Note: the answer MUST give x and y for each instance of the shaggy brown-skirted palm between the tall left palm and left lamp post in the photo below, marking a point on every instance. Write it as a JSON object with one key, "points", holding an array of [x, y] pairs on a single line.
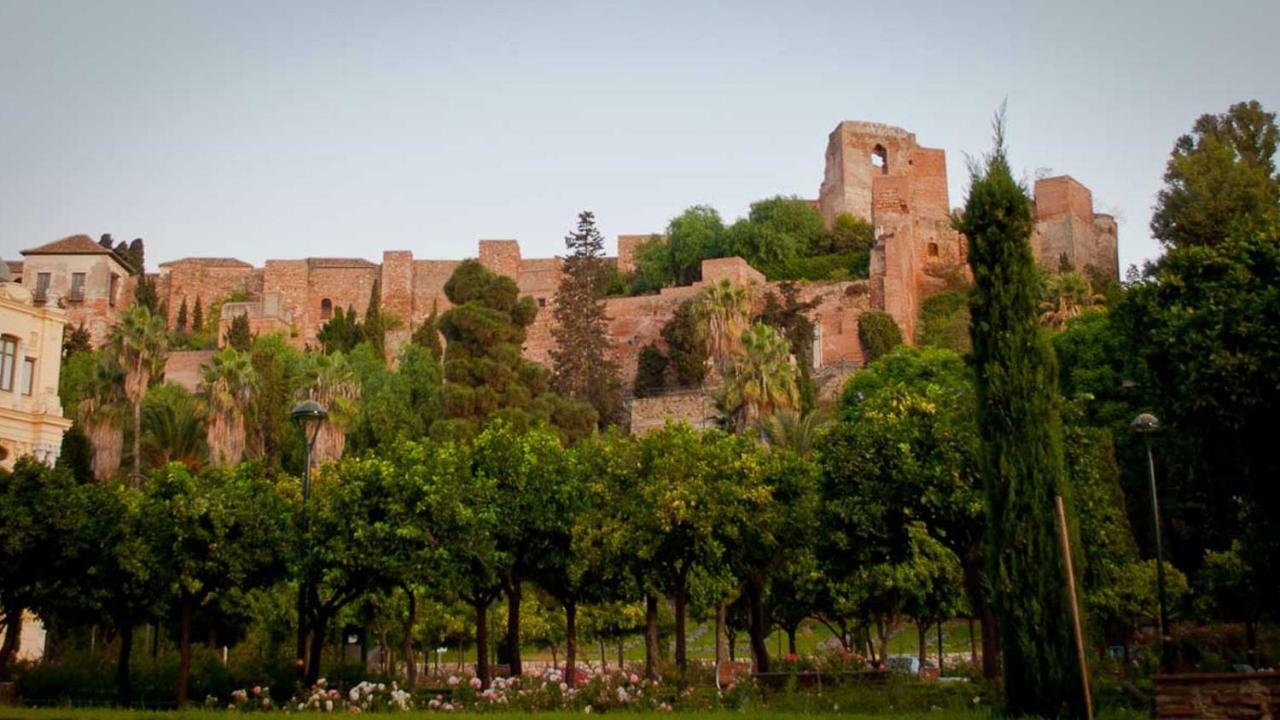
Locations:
{"points": [[230, 384]]}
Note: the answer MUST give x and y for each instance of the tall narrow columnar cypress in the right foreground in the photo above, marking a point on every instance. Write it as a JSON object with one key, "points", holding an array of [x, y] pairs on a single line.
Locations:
{"points": [[1020, 420]]}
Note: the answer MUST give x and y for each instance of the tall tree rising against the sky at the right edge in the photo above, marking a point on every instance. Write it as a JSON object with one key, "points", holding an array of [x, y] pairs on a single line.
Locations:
{"points": [[1222, 172]]}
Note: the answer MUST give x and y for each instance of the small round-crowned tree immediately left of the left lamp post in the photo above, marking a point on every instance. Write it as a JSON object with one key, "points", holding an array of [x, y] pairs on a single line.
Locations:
{"points": [[218, 534]]}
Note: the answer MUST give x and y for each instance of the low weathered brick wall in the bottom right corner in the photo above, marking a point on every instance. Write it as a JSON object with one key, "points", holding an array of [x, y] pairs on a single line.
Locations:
{"points": [[1227, 695]]}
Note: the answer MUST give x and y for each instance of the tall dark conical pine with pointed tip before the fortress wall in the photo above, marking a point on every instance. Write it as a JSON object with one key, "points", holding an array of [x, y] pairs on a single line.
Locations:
{"points": [[582, 368]]}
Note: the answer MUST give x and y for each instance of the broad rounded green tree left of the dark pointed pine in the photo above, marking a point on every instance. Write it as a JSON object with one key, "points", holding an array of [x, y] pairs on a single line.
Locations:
{"points": [[486, 373]]}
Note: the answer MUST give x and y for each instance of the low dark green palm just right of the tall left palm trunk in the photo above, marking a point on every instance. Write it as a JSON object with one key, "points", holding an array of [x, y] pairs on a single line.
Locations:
{"points": [[173, 429]]}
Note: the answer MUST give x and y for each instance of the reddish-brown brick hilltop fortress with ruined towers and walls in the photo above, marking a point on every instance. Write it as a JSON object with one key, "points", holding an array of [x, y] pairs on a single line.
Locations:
{"points": [[872, 171]]}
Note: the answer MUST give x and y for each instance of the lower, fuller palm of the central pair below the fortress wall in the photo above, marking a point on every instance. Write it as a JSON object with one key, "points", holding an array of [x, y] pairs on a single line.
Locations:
{"points": [[762, 380]]}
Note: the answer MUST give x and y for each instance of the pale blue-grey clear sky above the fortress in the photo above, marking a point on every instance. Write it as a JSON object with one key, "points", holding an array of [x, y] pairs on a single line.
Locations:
{"points": [[336, 129]]}
